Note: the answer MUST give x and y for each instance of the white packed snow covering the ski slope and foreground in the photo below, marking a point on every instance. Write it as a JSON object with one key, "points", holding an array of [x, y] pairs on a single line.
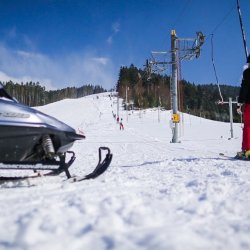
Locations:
{"points": [[155, 195]]}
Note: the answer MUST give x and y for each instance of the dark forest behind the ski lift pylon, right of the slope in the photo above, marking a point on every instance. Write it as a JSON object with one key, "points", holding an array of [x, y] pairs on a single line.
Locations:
{"points": [[146, 91]]}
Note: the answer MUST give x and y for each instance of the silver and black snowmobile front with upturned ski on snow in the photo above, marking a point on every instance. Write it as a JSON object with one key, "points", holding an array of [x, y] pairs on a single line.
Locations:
{"points": [[32, 140]]}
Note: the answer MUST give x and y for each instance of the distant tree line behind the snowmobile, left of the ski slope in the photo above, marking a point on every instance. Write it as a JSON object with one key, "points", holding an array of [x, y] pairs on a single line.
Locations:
{"points": [[33, 94]]}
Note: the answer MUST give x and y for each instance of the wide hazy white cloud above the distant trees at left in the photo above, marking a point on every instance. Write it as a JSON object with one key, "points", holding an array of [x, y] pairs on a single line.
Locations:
{"points": [[69, 70]]}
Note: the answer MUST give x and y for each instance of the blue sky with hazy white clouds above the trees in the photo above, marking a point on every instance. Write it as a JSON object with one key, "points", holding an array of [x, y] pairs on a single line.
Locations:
{"points": [[71, 42]]}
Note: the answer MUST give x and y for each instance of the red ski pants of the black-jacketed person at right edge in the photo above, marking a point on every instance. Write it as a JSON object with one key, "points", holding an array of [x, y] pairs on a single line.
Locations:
{"points": [[246, 128]]}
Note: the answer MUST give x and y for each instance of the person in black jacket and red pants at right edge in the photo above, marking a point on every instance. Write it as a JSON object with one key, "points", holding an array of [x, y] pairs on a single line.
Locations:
{"points": [[244, 98]]}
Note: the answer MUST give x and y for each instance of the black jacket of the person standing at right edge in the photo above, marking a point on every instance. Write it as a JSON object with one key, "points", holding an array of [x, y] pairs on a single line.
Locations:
{"points": [[244, 96]]}
